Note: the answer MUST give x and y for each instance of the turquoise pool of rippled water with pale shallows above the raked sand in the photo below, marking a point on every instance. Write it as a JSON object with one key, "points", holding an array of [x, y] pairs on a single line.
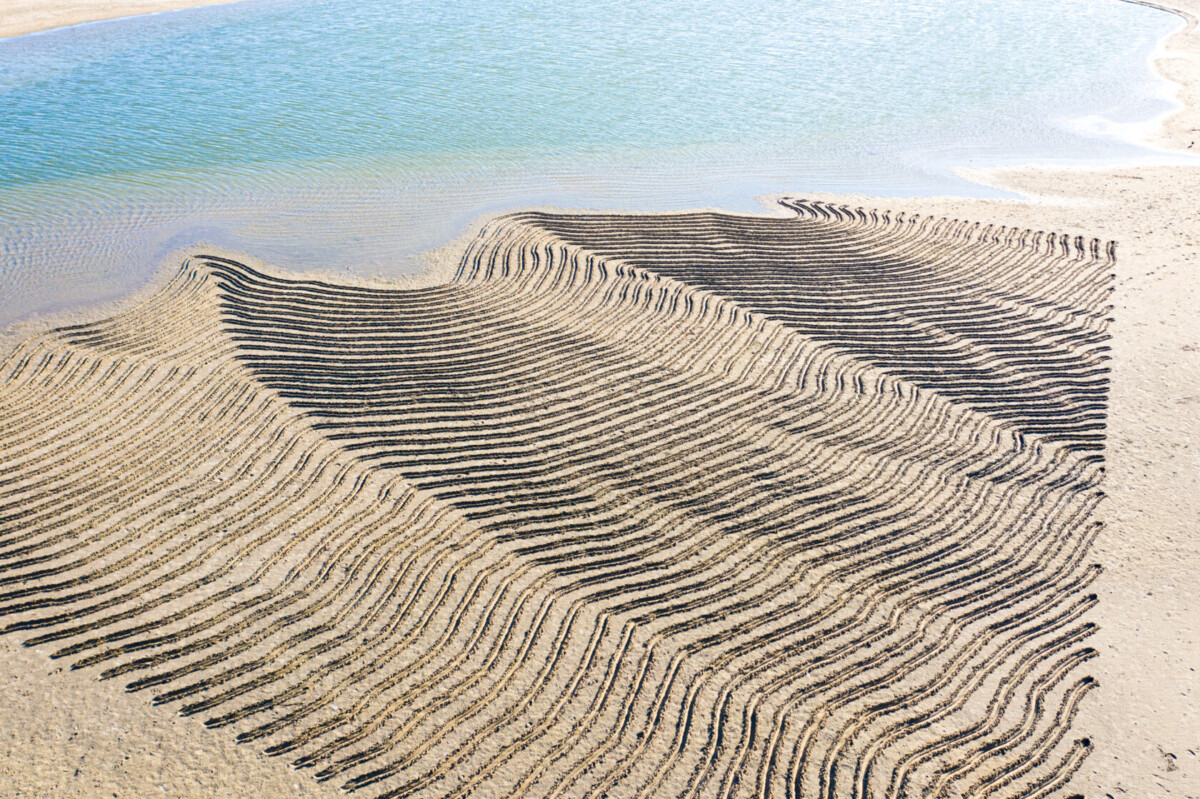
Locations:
{"points": [[319, 134]]}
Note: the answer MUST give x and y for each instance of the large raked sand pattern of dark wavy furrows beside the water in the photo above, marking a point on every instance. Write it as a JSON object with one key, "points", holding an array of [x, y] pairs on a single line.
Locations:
{"points": [[664, 506]]}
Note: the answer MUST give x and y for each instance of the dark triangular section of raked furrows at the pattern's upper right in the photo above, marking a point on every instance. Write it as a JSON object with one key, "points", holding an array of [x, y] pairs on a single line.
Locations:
{"points": [[946, 317]]}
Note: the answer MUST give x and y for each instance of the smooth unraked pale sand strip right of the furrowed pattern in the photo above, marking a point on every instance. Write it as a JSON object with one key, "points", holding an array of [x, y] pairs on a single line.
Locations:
{"points": [[1145, 719]]}
